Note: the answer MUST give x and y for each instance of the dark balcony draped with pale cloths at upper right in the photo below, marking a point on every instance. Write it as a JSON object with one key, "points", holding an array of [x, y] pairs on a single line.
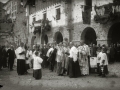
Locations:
{"points": [[107, 12]]}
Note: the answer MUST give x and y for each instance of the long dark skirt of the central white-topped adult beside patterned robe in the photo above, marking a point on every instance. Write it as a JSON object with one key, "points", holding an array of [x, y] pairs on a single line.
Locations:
{"points": [[74, 68]]}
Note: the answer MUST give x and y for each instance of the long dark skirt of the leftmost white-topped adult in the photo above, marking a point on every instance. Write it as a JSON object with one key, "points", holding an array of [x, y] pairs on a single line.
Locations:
{"points": [[21, 67]]}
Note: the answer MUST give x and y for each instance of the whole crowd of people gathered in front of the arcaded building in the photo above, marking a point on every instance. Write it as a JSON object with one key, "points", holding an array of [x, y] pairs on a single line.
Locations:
{"points": [[65, 59]]}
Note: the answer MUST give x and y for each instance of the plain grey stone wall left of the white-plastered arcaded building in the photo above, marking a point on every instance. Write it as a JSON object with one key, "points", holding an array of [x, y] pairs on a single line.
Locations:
{"points": [[20, 28]]}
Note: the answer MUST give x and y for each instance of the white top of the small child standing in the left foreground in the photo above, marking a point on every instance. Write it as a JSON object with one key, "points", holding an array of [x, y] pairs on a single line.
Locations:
{"points": [[37, 62]]}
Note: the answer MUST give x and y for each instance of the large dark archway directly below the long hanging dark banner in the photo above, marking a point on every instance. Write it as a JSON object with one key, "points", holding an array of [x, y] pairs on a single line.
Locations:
{"points": [[89, 36]]}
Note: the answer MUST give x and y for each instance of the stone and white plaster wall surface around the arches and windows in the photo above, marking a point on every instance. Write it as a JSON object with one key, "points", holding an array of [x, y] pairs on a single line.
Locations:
{"points": [[71, 23]]}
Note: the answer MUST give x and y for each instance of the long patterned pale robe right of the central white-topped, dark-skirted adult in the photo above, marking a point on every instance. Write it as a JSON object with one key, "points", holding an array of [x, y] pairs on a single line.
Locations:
{"points": [[83, 60]]}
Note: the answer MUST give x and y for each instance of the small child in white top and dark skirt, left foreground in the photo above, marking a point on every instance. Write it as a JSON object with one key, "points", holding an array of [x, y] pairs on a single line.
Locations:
{"points": [[37, 61]]}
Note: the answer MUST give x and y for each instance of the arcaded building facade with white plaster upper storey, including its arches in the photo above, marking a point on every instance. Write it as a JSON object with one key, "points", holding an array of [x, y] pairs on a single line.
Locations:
{"points": [[70, 25]]}
